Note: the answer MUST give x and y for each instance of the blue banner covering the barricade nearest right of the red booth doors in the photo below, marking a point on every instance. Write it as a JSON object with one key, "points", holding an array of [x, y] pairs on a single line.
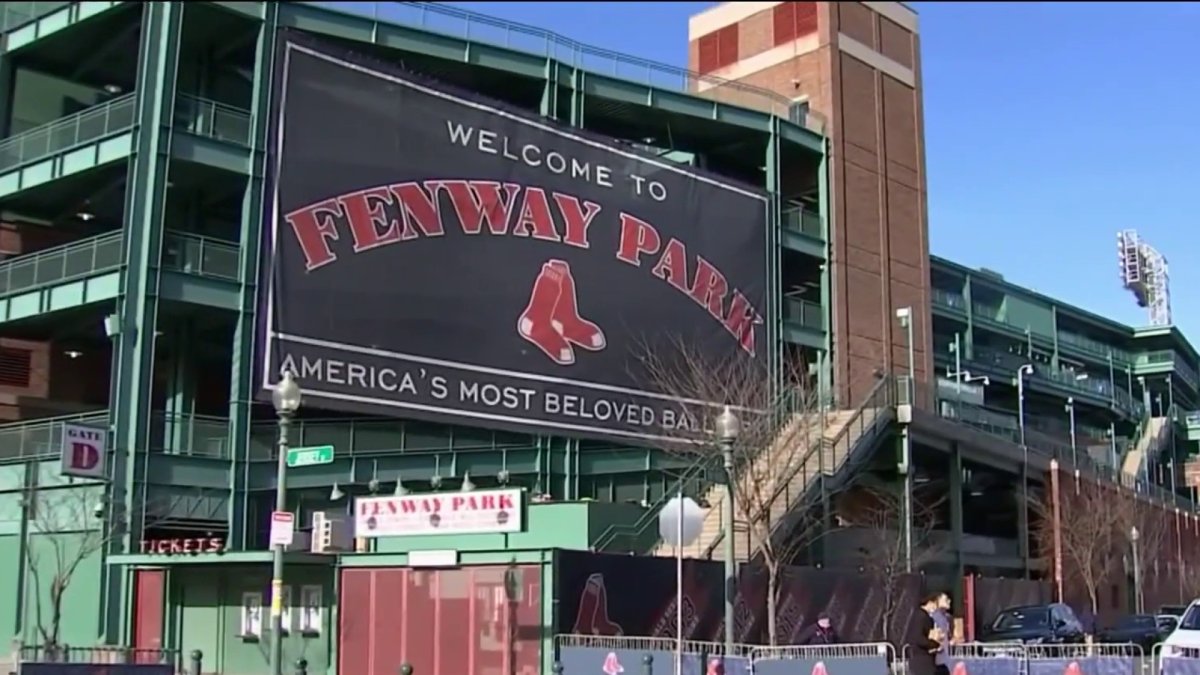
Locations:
{"points": [[597, 661]]}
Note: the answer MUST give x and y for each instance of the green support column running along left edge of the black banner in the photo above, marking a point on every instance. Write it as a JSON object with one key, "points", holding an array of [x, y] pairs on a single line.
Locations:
{"points": [[243, 378]]}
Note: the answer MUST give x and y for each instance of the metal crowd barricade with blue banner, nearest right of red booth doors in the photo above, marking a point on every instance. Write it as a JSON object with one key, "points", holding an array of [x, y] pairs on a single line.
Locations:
{"points": [[589, 655]]}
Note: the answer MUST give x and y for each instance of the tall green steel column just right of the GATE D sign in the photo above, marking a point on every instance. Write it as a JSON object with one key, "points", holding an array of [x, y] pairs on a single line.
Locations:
{"points": [[137, 307]]}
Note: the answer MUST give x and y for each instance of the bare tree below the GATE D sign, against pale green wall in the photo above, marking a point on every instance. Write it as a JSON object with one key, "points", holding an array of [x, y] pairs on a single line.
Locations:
{"points": [[69, 525]]}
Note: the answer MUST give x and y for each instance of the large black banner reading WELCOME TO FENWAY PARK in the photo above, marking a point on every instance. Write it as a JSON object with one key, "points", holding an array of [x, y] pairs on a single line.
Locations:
{"points": [[436, 256]]}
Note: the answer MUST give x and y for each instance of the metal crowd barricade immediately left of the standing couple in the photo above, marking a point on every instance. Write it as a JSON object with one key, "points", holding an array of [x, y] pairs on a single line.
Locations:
{"points": [[868, 659]]}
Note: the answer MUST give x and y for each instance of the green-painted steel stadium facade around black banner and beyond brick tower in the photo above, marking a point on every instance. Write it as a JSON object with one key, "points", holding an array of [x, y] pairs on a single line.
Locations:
{"points": [[149, 118]]}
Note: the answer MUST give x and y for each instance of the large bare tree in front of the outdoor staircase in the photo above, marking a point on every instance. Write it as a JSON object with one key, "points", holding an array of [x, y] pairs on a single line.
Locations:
{"points": [[778, 456]]}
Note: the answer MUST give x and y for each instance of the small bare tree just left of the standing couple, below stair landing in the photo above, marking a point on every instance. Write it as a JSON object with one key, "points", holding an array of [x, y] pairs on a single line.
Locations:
{"points": [[878, 512]]}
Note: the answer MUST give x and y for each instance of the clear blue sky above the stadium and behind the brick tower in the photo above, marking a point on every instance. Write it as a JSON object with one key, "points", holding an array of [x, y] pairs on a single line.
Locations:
{"points": [[1049, 128]]}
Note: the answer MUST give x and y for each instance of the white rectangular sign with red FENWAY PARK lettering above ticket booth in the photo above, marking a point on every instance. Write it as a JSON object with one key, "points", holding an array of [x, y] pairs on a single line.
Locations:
{"points": [[451, 513]]}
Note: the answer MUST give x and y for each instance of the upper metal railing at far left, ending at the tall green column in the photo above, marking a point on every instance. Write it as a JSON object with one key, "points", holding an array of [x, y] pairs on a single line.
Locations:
{"points": [[69, 133]]}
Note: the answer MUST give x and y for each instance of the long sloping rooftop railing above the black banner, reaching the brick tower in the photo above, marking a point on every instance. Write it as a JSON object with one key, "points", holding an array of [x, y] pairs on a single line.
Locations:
{"points": [[451, 21]]}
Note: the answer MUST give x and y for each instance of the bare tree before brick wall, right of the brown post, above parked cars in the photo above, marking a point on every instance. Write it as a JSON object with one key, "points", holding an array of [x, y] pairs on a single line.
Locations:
{"points": [[1094, 525]]}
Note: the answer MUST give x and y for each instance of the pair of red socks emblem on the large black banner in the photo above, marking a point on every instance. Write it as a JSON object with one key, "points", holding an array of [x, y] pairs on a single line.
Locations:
{"points": [[553, 322]]}
